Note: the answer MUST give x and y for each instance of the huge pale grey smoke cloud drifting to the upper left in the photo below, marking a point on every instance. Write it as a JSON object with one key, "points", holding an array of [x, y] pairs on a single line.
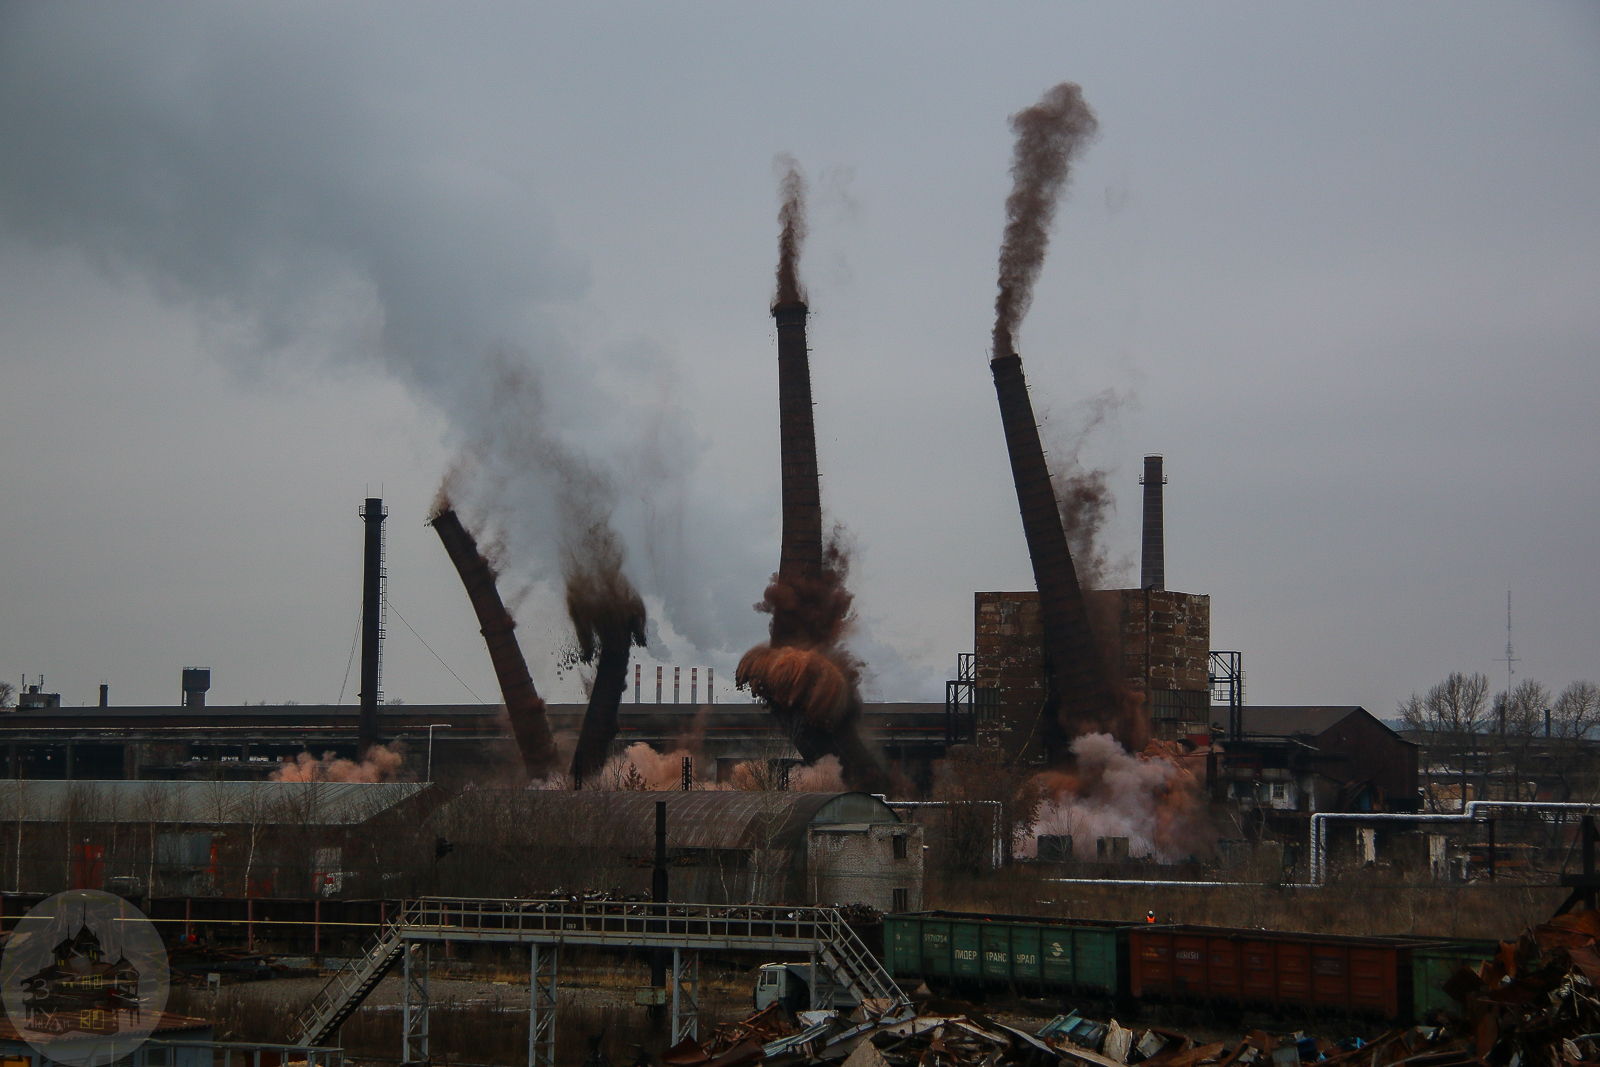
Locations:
{"points": [[271, 185]]}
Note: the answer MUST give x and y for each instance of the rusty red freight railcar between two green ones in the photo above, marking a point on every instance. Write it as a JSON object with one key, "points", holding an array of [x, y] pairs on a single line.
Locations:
{"points": [[1318, 972]]}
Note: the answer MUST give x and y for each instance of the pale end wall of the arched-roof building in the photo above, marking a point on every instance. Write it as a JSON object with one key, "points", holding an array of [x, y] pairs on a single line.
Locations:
{"points": [[858, 865]]}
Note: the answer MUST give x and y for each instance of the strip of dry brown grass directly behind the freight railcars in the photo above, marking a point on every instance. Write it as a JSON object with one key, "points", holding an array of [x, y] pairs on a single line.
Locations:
{"points": [[1428, 911]]}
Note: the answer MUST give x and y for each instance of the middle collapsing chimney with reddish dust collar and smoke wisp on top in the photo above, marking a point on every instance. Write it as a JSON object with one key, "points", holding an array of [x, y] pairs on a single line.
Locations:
{"points": [[804, 674]]}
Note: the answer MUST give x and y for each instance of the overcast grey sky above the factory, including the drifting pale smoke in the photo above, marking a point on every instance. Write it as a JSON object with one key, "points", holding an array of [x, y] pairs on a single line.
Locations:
{"points": [[1340, 262]]}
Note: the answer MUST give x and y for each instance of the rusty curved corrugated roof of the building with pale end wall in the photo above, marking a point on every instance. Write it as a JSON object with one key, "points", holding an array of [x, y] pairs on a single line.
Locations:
{"points": [[708, 818]]}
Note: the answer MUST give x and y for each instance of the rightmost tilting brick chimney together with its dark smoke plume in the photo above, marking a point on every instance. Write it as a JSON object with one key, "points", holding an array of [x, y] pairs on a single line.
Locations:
{"points": [[1078, 693]]}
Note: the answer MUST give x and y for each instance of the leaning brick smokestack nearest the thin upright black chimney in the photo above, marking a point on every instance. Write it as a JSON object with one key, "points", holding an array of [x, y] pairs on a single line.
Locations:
{"points": [[524, 706]]}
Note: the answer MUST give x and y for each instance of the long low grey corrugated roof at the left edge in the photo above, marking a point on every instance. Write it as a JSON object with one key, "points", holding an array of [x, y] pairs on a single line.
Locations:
{"points": [[202, 804]]}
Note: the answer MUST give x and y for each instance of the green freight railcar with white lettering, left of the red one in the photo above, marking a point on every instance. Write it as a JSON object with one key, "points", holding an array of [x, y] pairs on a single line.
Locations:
{"points": [[1018, 951]]}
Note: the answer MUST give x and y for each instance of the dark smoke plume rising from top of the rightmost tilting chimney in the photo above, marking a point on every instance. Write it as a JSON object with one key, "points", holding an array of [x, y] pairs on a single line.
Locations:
{"points": [[1049, 135]]}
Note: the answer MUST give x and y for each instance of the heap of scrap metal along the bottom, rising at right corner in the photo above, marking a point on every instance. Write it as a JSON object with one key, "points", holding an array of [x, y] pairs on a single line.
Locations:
{"points": [[1534, 1004]]}
